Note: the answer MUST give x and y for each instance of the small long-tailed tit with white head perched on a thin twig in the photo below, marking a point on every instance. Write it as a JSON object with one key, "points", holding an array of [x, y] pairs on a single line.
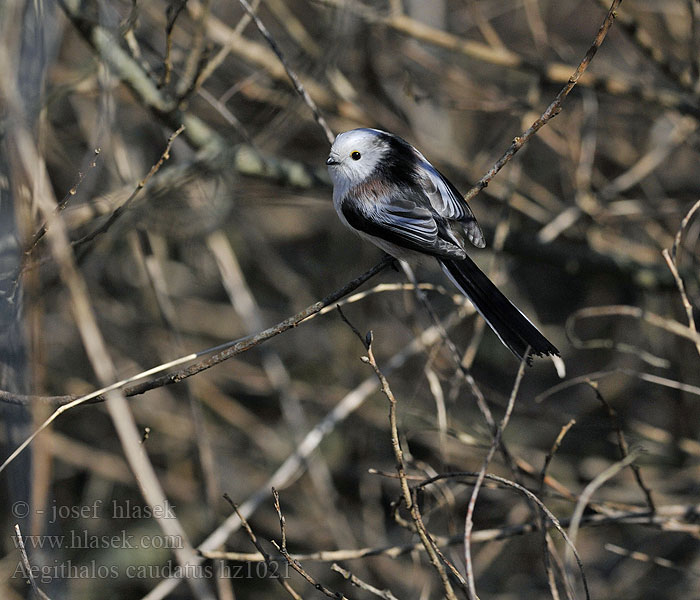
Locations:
{"points": [[386, 190]]}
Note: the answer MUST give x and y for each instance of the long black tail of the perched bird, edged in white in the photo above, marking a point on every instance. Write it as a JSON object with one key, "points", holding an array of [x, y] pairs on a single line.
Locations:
{"points": [[513, 328]]}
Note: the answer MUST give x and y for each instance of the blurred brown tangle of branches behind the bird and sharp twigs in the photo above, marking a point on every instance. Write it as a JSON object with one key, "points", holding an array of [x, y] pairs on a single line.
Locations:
{"points": [[235, 231]]}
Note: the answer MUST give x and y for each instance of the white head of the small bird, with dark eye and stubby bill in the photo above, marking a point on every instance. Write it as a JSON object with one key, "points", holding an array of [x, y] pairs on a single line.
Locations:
{"points": [[354, 156]]}
